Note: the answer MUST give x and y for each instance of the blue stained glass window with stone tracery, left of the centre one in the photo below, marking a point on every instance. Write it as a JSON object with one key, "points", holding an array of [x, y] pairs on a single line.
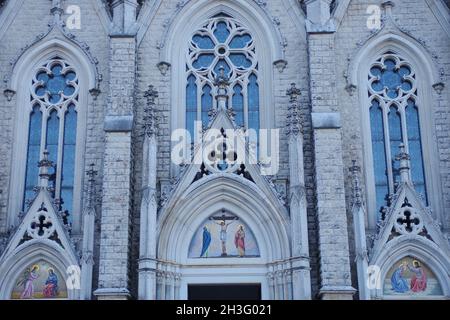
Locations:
{"points": [[53, 127]]}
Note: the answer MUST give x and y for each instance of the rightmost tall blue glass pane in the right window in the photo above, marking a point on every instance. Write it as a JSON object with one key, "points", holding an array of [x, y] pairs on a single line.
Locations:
{"points": [[415, 149]]}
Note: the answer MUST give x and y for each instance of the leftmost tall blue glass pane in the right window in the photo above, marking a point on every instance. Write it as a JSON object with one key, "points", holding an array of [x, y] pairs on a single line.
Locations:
{"points": [[379, 154]]}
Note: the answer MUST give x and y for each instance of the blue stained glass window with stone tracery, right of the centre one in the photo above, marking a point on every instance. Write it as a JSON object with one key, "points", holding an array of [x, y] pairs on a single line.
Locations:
{"points": [[394, 120]]}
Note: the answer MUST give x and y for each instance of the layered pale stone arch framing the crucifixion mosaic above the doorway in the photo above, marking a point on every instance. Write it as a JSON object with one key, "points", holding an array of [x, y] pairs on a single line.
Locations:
{"points": [[212, 194]]}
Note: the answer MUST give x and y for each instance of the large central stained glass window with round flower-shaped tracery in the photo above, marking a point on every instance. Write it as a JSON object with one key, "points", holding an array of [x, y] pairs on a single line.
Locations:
{"points": [[222, 44]]}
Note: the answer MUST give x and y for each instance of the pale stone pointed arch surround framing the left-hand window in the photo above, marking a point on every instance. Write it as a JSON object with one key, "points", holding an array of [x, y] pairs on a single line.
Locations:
{"points": [[54, 45]]}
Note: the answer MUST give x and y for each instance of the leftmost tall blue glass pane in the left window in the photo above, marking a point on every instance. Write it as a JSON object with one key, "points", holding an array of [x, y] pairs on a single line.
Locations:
{"points": [[33, 154]]}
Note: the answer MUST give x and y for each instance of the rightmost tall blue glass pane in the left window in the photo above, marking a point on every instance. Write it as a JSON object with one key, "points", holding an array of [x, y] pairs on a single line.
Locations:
{"points": [[68, 165]]}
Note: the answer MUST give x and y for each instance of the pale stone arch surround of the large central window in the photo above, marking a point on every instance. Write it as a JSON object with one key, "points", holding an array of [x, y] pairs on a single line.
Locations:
{"points": [[175, 43]]}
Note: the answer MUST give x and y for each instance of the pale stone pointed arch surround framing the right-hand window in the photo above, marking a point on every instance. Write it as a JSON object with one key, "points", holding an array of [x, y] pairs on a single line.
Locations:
{"points": [[391, 40]]}
